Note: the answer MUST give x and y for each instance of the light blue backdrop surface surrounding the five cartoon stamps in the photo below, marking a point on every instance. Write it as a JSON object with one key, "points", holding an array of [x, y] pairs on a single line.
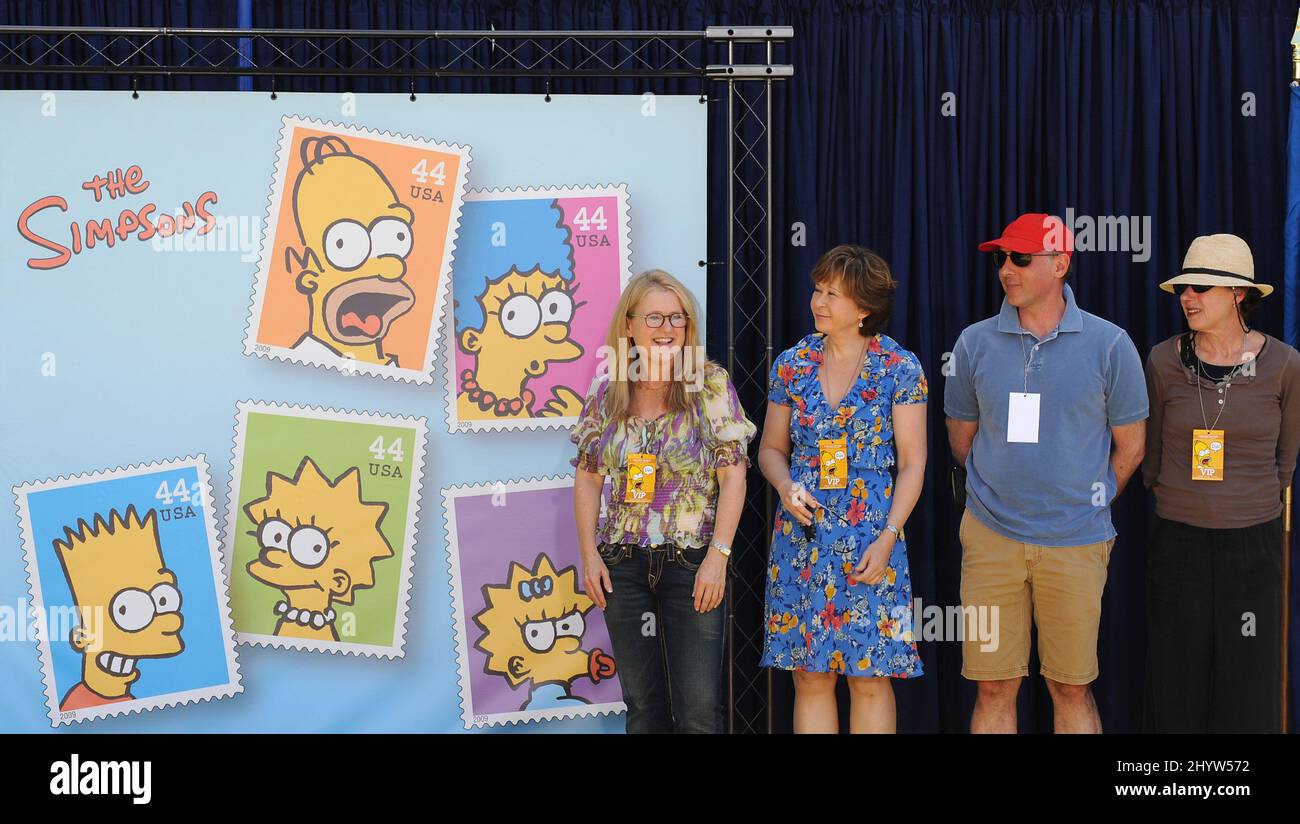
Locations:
{"points": [[146, 345]]}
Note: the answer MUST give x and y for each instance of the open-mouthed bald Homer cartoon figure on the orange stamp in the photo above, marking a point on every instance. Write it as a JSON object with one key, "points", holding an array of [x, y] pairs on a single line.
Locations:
{"points": [[356, 238]]}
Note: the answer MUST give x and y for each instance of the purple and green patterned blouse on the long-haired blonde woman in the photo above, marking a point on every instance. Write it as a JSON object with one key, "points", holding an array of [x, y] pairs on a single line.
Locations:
{"points": [[690, 446]]}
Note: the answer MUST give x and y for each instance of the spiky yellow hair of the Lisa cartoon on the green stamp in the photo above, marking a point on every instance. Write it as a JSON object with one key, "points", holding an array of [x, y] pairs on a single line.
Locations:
{"points": [[311, 497]]}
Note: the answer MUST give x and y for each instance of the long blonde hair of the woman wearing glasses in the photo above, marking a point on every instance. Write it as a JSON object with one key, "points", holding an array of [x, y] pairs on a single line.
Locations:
{"points": [[622, 350]]}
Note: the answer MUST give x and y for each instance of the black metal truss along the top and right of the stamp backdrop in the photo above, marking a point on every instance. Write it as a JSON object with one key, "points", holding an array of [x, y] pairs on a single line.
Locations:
{"points": [[738, 58]]}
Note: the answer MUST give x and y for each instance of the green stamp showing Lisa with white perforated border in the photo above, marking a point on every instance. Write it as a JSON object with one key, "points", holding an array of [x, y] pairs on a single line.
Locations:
{"points": [[320, 527]]}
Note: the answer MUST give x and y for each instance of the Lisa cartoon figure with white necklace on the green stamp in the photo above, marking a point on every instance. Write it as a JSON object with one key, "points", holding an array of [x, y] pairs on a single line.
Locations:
{"points": [[319, 541]]}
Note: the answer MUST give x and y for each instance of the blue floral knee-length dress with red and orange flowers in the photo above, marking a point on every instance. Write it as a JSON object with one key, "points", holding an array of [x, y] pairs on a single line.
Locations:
{"points": [[817, 622]]}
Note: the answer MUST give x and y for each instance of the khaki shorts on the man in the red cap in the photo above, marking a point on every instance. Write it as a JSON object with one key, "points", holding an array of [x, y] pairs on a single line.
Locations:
{"points": [[1056, 587]]}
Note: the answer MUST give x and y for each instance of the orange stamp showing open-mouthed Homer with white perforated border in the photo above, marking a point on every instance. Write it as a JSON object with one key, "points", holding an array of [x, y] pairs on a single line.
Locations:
{"points": [[357, 254]]}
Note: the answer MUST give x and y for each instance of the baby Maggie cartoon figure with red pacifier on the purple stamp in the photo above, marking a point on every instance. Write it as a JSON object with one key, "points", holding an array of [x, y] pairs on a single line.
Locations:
{"points": [[534, 630]]}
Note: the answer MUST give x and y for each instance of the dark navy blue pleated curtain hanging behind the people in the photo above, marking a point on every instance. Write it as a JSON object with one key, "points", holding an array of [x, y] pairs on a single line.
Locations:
{"points": [[920, 129]]}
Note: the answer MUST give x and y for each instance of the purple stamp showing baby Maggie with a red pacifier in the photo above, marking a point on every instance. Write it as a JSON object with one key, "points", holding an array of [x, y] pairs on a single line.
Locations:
{"points": [[531, 645]]}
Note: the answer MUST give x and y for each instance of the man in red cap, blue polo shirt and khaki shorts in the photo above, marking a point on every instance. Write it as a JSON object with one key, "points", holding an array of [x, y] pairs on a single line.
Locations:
{"points": [[1047, 409]]}
